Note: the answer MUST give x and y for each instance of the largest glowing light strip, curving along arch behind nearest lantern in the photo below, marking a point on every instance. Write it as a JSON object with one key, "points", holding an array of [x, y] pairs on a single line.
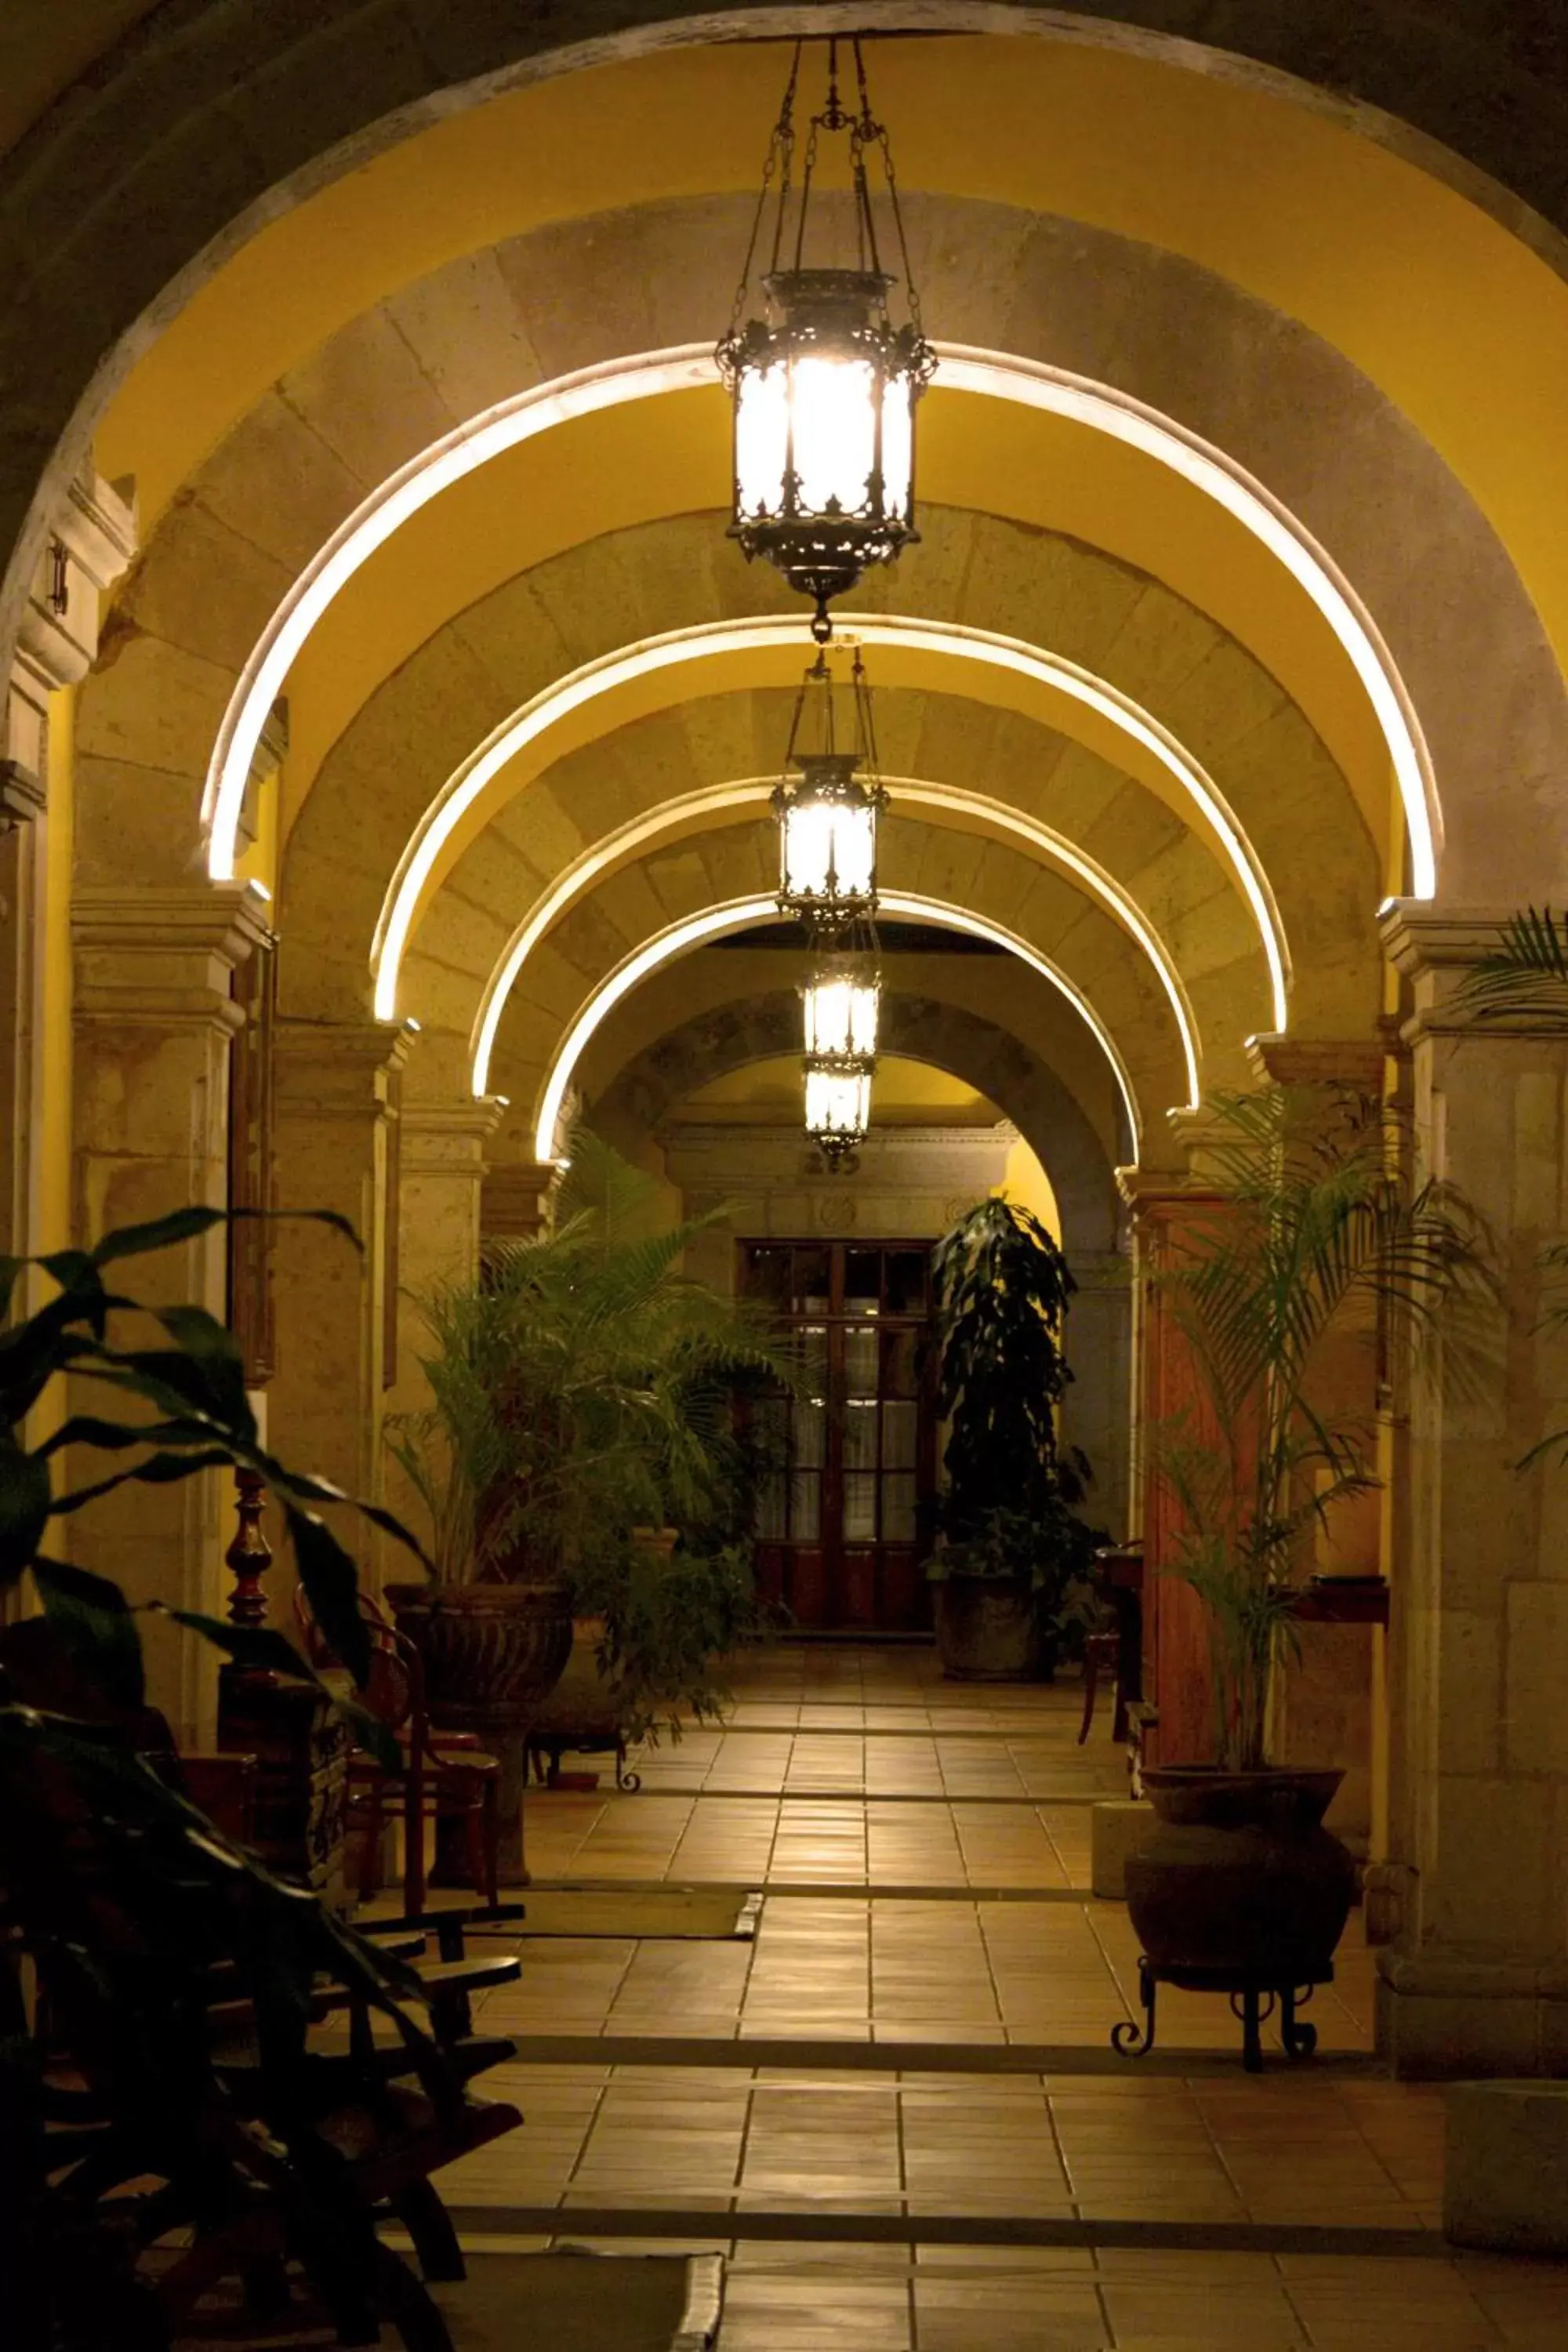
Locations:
{"points": [[645, 377]]}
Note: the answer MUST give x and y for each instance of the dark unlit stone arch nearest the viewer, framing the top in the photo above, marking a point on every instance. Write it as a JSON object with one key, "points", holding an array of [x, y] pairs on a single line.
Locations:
{"points": [[206, 119]]}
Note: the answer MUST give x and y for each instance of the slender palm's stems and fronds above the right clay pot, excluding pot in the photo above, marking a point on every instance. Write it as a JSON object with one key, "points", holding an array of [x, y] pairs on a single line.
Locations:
{"points": [[1320, 1245]]}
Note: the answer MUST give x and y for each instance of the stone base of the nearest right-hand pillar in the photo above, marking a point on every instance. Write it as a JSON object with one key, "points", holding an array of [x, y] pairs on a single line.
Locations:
{"points": [[1452, 2019]]}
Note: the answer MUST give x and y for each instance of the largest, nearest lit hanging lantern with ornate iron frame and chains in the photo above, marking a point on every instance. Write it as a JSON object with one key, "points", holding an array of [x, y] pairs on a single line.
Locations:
{"points": [[824, 382]]}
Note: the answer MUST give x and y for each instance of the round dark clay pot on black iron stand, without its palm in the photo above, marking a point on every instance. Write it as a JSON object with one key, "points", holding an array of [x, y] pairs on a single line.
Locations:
{"points": [[1240, 1876]]}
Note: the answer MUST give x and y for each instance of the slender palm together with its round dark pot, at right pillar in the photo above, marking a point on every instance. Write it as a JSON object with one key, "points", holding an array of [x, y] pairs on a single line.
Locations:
{"points": [[1320, 1245]]}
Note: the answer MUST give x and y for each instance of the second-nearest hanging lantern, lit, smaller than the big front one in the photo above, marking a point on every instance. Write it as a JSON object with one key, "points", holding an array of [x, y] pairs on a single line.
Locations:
{"points": [[829, 817]]}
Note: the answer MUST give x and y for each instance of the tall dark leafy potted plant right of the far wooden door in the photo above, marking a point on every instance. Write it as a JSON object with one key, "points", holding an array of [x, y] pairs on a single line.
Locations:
{"points": [[1012, 1539]]}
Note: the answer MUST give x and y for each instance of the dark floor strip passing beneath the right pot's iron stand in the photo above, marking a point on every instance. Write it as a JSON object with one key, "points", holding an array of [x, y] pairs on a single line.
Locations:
{"points": [[845, 2057]]}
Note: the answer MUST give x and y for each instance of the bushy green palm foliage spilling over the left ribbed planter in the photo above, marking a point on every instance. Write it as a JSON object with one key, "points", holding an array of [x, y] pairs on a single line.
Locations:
{"points": [[575, 1457]]}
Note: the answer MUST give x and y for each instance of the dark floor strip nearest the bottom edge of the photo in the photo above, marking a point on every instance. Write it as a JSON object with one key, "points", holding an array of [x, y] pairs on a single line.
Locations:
{"points": [[840, 2229]]}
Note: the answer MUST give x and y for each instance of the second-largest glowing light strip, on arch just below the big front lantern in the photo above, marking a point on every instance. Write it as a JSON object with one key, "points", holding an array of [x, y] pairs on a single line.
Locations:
{"points": [[688, 646]]}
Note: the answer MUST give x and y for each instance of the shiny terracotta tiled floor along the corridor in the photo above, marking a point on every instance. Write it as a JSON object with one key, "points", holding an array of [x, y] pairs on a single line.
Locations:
{"points": [[925, 1855]]}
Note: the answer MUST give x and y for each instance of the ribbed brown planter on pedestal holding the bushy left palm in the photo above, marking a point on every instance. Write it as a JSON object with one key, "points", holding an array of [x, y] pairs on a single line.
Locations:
{"points": [[492, 1655]]}
